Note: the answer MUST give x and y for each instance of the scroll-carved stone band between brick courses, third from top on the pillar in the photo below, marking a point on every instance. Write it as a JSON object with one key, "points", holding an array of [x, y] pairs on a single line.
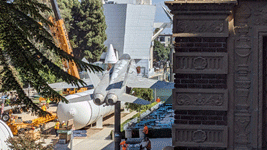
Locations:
{"points": [[189, 99]]}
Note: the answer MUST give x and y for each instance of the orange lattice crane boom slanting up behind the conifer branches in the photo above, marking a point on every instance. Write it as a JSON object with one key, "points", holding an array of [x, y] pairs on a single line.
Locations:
{"points": [[61, 39]]}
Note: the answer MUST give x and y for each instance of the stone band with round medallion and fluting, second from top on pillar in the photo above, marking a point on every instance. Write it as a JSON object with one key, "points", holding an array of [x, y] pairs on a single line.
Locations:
{"points": [[195, 63]]}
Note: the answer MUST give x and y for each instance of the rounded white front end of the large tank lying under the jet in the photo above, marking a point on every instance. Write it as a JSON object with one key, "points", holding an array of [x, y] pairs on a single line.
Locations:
{"points": [[80, 112]]}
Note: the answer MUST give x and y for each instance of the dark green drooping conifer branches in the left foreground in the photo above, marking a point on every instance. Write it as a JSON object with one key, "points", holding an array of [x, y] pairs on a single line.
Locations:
{"points": [[20, 31]]}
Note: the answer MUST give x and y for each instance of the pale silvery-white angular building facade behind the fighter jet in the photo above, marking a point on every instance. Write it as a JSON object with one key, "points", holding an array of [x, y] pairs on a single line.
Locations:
{"points": [[130, 29]]}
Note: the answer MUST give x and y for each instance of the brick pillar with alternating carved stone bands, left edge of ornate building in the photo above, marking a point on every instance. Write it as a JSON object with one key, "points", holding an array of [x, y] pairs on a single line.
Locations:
{"points": [[200, 99]]}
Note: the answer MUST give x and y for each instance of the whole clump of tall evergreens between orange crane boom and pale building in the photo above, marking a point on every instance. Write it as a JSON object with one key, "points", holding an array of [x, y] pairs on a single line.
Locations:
{"points": [[85, 23]]}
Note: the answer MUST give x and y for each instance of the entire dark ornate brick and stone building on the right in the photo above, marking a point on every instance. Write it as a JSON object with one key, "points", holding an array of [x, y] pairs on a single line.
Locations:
{"points": [[220, 74]]}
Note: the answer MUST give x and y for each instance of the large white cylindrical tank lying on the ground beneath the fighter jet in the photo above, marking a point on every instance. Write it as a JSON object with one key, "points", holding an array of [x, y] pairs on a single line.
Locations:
{"points": [[83, 113]]}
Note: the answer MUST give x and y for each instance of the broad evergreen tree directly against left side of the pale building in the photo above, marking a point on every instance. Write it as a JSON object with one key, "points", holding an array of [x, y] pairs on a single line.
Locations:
{"points": [[88, 29]]}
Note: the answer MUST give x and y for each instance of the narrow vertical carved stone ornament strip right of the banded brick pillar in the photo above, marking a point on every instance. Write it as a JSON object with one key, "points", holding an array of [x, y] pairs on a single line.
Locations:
{"points": [[242, 80]]}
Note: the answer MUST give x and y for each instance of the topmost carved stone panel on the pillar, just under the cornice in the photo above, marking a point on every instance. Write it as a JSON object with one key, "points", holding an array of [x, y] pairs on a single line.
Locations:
{"points": [[199, 26]]}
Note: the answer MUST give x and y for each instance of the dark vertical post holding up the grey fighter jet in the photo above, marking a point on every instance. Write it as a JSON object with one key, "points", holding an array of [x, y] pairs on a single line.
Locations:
{"points": [[117, 126]]}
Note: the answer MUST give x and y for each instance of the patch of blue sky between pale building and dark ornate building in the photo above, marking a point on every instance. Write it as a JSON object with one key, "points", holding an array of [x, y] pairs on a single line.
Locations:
{"points": [[160, 14]]}
